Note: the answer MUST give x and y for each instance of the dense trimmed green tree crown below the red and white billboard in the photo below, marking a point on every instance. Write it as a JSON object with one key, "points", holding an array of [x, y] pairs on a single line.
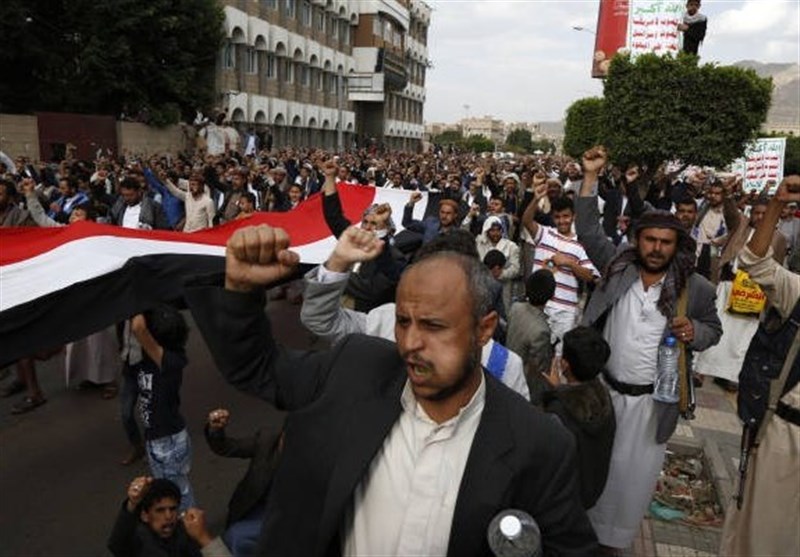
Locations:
{"points": [[663, 108]]}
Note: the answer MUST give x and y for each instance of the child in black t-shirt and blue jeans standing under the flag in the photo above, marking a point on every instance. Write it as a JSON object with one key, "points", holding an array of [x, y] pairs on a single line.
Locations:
{"points": [[162, 332]]}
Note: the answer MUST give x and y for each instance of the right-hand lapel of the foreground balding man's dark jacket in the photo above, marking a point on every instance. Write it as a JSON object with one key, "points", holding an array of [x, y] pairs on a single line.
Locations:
{"points": [[486, 478]]}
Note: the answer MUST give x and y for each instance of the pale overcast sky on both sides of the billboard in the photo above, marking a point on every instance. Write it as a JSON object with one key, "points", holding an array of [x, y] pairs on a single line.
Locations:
{"points": [[520, 60]]}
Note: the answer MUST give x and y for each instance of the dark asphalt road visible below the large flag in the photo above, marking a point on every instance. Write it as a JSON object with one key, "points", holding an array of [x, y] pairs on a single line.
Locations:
{"points": [[61, 483]]}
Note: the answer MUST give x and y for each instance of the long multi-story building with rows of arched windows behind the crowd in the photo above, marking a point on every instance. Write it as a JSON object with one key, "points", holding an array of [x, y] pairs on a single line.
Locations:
{"points": [[326, 73]]}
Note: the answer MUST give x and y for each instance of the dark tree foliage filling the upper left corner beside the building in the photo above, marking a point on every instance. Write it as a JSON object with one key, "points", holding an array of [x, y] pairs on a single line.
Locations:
{"points": [[109, 57]]}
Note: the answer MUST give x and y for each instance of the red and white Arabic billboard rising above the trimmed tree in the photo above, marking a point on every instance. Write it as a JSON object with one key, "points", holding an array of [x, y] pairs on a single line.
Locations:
{"points": [[635, 26]]}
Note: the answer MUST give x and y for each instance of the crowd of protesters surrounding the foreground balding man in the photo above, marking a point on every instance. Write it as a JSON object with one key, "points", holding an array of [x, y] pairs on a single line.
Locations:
{"points": [[588, 263]]}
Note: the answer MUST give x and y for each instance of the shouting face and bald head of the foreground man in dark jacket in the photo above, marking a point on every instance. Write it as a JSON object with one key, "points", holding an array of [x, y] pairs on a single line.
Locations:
{"points": [[435, 331]]}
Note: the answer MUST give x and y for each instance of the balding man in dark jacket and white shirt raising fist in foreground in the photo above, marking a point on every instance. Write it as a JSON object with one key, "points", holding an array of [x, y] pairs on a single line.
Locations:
{"points": [[351, 408]]}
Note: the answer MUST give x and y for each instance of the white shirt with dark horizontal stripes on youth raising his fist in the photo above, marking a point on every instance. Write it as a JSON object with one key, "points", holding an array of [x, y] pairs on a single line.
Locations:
{"points": [[549, 242]]}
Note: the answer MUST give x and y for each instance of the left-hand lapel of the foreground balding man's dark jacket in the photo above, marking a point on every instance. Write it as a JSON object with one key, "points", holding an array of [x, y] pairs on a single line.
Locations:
{"points": [[368, 425]]}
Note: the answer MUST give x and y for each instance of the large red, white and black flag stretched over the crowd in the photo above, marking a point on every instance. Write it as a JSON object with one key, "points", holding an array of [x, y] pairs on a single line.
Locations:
{"points": [[62, 284]]}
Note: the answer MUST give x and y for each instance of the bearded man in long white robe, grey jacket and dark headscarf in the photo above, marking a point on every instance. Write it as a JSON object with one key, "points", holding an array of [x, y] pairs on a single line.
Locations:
{"points": [[636, 305]]}
